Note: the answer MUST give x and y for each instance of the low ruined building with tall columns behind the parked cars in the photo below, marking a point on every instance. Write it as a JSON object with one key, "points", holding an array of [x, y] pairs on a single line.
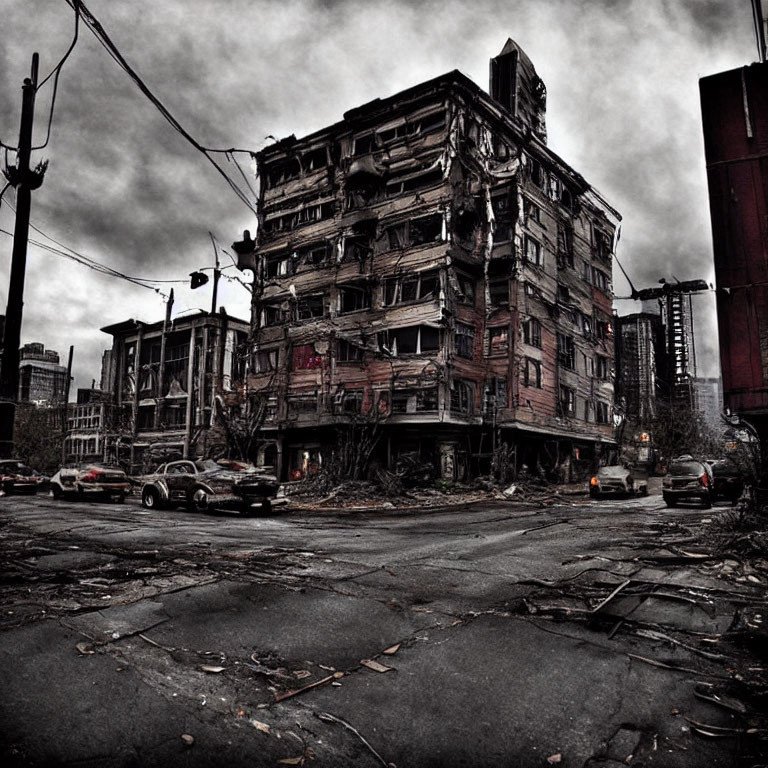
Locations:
{"points": [[162, 381]]}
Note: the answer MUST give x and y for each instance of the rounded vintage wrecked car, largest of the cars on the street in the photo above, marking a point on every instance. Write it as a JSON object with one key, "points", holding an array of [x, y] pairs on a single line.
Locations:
{"points": [[205, 486]]}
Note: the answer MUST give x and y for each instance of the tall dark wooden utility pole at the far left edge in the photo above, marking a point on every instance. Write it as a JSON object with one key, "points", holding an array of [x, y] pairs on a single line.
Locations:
{"points": [[24, 180]]}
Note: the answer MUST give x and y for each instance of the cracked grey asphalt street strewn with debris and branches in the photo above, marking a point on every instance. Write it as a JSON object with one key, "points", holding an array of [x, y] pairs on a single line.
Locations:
{"points": [[572, 633]]}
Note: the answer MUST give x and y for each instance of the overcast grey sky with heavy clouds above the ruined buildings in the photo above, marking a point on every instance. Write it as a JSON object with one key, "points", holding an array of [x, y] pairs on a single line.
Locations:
{"points": [[123, 188]]}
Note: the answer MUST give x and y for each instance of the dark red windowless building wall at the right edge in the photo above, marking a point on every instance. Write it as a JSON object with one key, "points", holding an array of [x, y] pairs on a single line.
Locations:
{"points": [[735, 121]]}
